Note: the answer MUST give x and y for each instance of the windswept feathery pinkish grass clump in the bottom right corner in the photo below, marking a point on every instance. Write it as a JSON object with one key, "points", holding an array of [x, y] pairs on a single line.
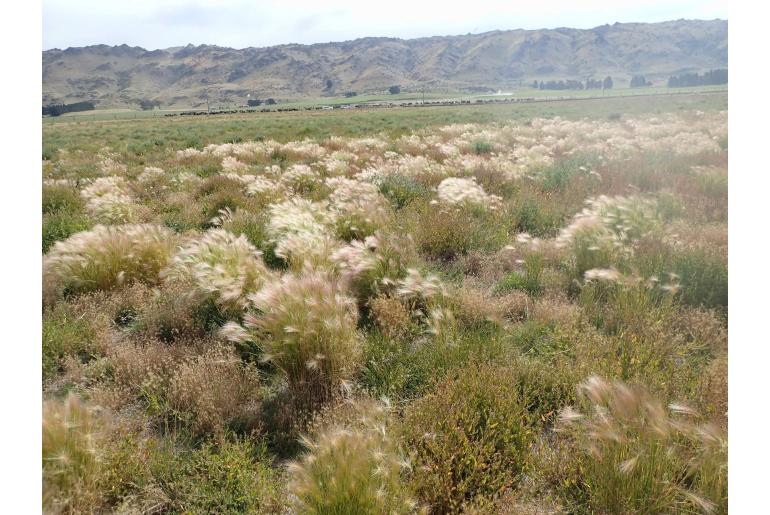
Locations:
{"points": [[640, 457]]}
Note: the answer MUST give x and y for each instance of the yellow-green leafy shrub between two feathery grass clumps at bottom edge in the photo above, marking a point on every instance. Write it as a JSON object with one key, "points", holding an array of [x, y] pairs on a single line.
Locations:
{"points": [[469, 439]]}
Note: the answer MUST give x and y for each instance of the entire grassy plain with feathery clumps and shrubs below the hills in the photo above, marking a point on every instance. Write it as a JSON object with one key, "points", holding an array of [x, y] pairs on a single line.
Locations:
{"points": [[481, 309]]}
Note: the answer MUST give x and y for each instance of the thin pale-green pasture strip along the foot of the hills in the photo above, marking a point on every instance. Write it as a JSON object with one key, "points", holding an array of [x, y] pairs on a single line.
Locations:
{"points": [[402, 98]]}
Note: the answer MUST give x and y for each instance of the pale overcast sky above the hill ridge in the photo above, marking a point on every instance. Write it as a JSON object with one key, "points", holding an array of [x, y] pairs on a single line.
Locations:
{"points": [[154, 24]]}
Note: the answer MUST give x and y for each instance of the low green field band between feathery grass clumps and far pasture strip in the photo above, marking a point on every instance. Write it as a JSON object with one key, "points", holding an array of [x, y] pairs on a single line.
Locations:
{"points": [[147, 136]]}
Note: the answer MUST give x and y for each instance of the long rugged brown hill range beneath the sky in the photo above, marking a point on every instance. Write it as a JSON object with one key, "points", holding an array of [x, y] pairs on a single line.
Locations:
{"points": [[184, 76]]}
